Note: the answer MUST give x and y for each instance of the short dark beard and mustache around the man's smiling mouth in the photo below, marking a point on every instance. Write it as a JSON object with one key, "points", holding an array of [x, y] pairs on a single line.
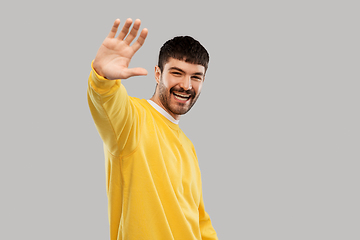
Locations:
{"points": [[167, 99]]}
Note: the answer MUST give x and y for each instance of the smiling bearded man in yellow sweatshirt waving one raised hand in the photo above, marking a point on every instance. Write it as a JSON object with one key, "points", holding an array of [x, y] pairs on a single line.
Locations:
{"points": [[153, 178]]}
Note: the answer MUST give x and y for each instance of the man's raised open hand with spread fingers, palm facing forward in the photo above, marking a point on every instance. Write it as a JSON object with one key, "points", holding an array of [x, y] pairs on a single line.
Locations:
{"points": [[114, 55]]}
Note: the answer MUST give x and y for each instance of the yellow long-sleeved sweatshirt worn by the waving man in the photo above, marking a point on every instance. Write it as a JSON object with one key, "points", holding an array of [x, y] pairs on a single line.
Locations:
{"points": [[152, 175]]}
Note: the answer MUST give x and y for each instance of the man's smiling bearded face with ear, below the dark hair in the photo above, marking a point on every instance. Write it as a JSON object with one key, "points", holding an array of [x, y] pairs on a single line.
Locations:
{"points": [[179, 86]]}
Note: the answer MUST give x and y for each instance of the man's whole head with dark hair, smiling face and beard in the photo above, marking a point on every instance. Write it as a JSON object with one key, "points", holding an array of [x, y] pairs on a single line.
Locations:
{"points": [[180, 73]]}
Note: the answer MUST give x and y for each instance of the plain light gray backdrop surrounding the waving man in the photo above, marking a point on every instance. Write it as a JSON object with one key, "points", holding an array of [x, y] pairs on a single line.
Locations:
{"points": [[276, 128]]}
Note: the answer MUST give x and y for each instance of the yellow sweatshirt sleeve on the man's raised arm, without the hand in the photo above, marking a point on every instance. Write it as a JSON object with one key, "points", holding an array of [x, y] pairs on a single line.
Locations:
{"points": [[114, 114]]}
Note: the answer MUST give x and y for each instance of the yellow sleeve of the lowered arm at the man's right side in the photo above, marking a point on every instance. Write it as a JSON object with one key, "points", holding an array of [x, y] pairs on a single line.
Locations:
{"points": [[206, 228]]}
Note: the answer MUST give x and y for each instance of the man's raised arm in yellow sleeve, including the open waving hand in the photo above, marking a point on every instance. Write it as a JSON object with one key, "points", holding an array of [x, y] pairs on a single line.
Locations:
{"points": [[113, 114]]}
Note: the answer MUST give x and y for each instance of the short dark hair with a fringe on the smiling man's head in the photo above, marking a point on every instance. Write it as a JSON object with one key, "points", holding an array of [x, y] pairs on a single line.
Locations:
{"points": [[183, 48]]}
